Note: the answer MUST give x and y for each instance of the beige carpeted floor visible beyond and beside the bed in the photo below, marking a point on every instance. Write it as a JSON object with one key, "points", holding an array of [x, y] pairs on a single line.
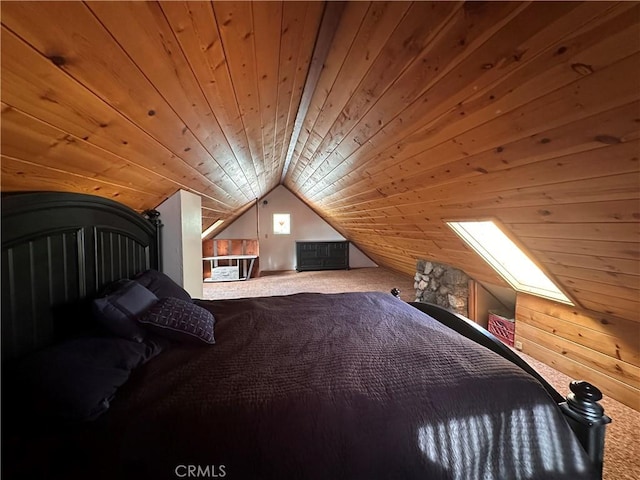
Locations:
{"points": [[622, 446]]}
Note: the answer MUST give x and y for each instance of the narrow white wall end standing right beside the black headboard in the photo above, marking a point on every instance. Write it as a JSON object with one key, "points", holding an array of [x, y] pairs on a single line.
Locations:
{"points": [[181, 215]]}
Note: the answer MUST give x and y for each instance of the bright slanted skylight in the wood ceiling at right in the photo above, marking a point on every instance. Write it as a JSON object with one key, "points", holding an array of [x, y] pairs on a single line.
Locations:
{"points": [[508, 259]]}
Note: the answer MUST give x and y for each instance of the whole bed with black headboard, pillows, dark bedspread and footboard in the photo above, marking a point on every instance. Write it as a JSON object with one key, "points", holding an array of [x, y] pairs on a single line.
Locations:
{"points": [[351, 385]]}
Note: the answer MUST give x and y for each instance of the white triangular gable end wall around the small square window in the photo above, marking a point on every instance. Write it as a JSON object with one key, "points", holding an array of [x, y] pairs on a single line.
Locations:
{"points": [[278, 252]]}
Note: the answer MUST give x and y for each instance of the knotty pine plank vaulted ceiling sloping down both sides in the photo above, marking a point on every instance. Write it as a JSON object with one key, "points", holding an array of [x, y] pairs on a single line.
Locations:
{"points": [[386, 118]]}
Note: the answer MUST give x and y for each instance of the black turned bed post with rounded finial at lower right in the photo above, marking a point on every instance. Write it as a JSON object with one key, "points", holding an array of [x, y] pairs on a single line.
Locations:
{"points": [[587, 419]]}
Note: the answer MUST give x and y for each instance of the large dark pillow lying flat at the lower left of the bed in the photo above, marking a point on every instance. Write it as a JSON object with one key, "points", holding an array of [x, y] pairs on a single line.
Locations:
{"points": [[77, 380]]}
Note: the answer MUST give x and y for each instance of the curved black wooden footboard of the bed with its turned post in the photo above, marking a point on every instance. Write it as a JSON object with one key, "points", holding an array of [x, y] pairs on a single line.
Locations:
{"points": [[581, 408]]}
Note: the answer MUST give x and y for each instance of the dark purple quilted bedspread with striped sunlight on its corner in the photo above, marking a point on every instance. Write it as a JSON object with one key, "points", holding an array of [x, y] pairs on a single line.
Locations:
{"points": [[358, 386]]}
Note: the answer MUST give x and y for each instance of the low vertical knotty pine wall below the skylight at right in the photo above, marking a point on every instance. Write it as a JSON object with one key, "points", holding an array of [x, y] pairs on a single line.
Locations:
{"points": [[600, 349]]}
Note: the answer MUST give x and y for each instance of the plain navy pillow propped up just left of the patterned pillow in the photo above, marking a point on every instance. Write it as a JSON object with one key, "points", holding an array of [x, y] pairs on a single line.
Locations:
{"points": [[118, 310]]}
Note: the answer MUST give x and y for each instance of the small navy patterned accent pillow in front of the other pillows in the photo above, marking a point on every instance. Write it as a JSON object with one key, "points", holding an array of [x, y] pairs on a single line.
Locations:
{"points": [[179, 320]]}
